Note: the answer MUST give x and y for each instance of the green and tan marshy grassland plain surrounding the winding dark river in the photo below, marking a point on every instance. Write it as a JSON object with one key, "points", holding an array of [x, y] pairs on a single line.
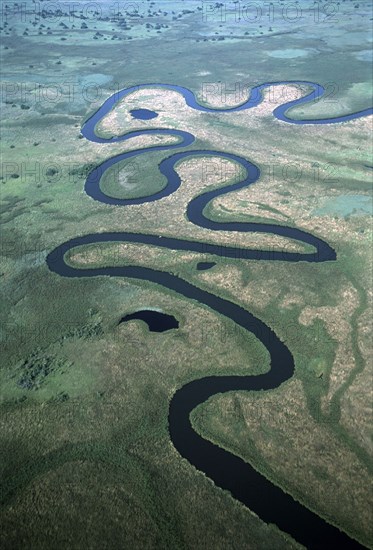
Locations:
{"points": [[84, 402]]}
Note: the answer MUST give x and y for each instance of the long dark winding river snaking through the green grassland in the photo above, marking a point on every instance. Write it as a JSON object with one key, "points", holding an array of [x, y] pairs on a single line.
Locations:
{"points": [[228, 471]]}
